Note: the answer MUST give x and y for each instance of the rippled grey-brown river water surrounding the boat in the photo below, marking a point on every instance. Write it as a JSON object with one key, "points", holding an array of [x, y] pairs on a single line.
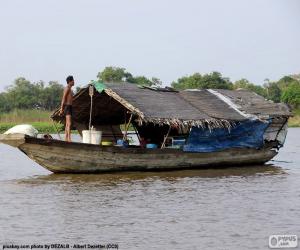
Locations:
{"points": [[232, 208]]}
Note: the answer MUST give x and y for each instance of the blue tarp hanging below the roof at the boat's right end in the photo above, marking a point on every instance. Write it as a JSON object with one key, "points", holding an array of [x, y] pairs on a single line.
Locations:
{"points": [[247, 134]]}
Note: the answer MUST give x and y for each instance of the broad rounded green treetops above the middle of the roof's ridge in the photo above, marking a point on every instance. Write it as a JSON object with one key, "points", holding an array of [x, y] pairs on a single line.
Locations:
{"points": [[213, 80]]}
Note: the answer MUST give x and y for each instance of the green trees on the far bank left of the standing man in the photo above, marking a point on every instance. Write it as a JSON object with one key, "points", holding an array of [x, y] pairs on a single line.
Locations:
{"points": [[26, 95]]}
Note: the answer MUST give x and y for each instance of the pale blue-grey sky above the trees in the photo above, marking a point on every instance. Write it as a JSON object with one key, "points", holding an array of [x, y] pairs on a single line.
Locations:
{"points": [[50, 39]]}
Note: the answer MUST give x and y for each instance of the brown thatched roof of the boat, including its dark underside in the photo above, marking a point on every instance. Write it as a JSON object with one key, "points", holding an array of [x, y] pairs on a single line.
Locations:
{"points": [[212, 108]]}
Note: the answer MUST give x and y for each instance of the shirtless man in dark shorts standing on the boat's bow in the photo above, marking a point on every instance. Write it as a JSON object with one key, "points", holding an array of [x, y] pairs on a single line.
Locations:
{"points": [[66, 106]]}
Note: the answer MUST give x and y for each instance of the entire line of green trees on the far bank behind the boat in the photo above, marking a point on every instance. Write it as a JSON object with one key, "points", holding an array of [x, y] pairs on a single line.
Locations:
{"points": [[23, 94]]}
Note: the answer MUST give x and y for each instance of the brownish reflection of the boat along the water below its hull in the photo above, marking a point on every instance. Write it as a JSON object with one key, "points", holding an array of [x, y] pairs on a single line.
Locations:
{"points": [[118, 177]]}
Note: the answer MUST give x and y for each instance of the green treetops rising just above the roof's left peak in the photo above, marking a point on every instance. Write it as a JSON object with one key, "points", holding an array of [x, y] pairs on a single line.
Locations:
{"points": [[117, 74]]}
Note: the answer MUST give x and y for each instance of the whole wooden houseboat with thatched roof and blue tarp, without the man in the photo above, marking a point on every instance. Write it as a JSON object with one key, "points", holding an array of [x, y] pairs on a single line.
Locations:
{"points": [[222, 128]]}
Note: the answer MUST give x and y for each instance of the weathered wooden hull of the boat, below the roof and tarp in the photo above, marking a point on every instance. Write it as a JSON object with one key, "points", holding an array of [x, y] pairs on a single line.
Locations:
{"points": [[63, 157]]}
